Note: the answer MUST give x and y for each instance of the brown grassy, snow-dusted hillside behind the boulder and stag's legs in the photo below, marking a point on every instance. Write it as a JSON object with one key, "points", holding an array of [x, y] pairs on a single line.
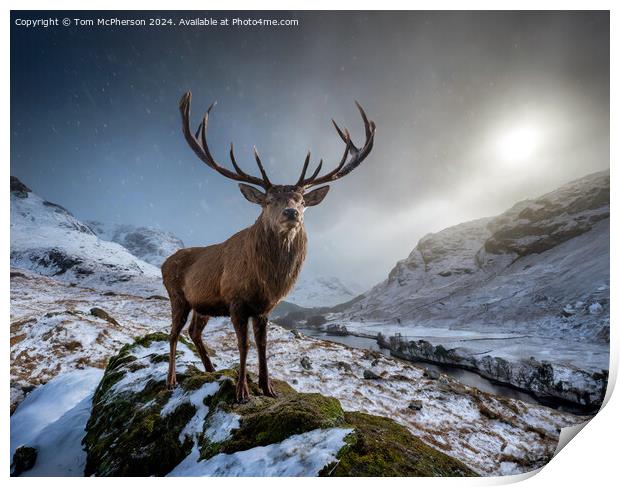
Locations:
{"points": [[53, 331]]}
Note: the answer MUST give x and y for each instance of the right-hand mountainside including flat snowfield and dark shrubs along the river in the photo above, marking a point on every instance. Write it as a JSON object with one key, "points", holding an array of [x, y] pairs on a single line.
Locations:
{"points": [[531, 282]]}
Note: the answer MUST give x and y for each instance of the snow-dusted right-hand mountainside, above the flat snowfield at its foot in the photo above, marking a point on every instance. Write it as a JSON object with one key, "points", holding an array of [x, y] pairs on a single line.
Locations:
{"points": [[478, 262]]}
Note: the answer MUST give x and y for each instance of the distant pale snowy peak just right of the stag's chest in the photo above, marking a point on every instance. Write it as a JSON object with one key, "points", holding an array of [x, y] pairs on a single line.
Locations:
{"points": [[321, 291]]}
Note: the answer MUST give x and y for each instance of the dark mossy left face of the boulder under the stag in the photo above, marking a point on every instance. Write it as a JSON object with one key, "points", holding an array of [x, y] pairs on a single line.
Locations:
{"points": [[126, 434]]}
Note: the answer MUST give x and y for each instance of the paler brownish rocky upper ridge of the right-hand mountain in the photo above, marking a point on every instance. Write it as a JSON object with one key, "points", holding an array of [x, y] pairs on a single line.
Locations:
{"points": [[463, 255]]}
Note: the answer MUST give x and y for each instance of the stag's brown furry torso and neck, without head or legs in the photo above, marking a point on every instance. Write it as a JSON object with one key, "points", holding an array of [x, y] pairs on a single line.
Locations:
{"points": [[255, 266]]}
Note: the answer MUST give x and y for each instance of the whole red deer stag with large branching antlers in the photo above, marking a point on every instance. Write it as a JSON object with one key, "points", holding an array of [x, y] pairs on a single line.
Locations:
{"points": [[246, 276]]}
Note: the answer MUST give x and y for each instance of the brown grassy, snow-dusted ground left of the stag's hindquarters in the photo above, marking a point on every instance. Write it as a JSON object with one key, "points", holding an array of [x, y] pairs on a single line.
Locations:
{"points": [[53, 329]]}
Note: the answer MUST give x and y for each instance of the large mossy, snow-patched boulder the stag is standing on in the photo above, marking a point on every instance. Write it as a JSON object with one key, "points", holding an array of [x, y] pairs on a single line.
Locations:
{"points": [[138, 427]]}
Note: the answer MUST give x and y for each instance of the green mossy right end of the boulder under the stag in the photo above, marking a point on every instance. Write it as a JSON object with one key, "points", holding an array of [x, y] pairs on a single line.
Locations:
{"points": [[380, 447]]}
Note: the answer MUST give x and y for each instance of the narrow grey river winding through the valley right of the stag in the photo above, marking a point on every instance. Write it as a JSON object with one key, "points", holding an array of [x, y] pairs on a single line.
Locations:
{"points": [[464, 376]]}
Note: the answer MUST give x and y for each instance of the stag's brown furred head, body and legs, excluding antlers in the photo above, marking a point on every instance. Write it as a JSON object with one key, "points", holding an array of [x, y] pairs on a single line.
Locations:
{"points": [[244, 277]]}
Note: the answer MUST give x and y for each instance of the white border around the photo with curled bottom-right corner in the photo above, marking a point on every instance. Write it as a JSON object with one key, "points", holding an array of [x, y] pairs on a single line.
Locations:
{"points": [[590, 459]]}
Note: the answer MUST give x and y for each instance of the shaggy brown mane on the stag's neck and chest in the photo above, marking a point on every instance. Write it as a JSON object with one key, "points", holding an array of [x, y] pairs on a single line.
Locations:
{"points": [[278, 256]]}
